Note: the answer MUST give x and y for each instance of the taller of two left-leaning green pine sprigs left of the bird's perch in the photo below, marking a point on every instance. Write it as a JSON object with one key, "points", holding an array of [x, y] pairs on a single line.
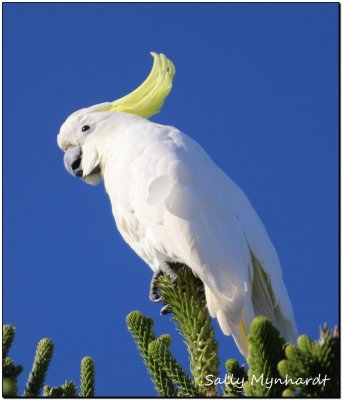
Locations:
{"points": [[141, 329]]}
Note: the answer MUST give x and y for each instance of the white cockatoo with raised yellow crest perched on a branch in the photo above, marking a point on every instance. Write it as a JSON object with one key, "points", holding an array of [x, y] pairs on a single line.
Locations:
{"points": [[172, 204]]}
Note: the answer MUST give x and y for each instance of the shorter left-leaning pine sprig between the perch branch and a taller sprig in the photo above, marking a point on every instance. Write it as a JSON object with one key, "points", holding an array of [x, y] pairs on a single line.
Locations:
{"points": [[159, 350]]}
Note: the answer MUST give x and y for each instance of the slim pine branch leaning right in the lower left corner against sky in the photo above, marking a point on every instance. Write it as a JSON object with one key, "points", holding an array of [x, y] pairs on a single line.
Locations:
{"points": [[39, 369]]}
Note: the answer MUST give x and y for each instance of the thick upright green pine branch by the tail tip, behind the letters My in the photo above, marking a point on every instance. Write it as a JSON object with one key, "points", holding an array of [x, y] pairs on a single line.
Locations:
{"points": [[266, 349]]}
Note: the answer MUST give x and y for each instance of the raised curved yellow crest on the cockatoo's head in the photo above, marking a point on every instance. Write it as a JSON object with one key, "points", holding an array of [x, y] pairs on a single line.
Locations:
{"points": [[149, 97]]}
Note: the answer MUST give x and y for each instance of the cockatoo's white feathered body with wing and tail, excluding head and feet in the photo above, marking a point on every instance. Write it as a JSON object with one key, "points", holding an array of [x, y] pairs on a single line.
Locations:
{"points": [[171, 202]]}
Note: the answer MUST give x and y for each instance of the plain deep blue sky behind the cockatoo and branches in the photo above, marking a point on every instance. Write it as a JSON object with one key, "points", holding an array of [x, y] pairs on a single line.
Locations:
{"points": [[256, 85]]}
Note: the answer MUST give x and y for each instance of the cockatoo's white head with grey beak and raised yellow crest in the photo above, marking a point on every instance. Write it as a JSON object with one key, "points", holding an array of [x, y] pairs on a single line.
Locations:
{"points": [[78, 134]]}
